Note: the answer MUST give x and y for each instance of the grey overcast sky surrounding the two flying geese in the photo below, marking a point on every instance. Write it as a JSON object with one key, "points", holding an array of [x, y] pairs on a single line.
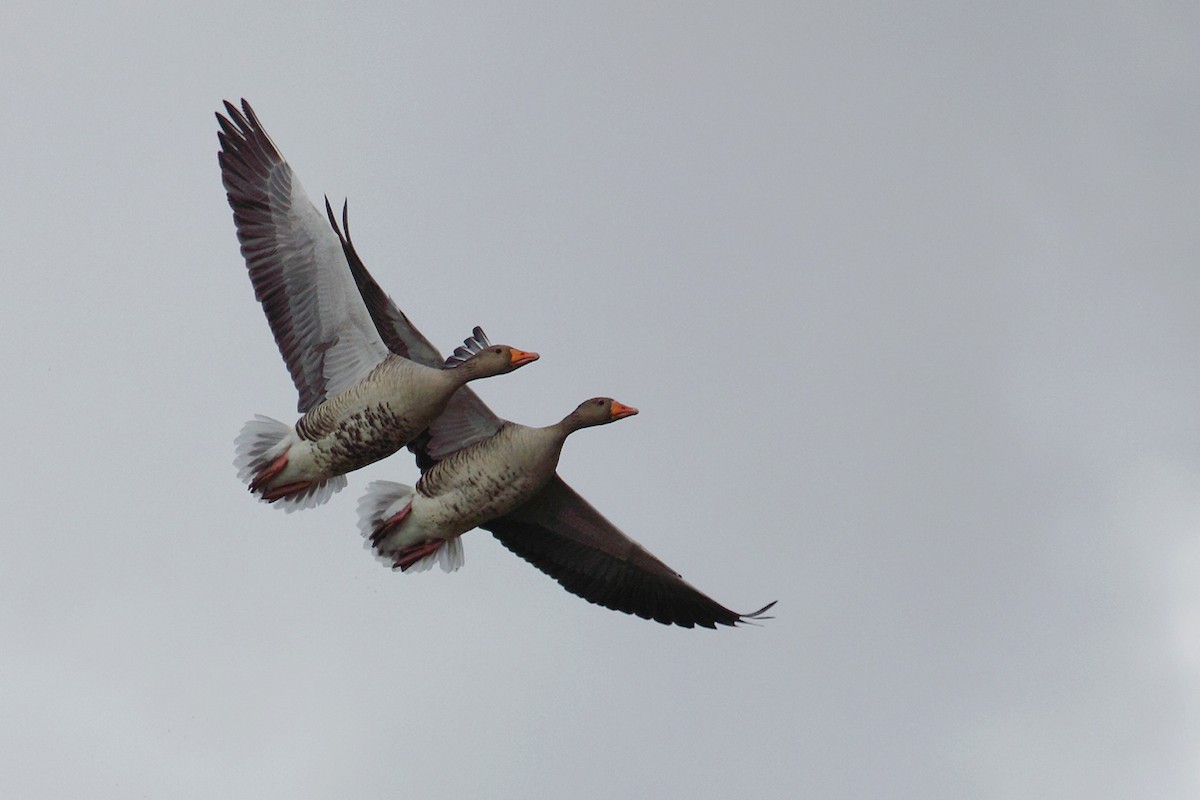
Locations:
{"points": [[907, 294]]}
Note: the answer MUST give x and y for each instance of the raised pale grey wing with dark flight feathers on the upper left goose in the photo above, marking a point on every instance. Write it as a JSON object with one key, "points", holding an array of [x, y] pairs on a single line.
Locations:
{"points": [[297, 266]]}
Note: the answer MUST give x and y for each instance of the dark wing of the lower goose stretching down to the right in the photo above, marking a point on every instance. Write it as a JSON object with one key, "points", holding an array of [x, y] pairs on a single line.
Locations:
{"points": [[561, 534]]}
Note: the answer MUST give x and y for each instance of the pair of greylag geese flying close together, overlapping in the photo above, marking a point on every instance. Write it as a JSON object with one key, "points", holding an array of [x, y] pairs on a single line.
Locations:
{"points": [[371, 384]]}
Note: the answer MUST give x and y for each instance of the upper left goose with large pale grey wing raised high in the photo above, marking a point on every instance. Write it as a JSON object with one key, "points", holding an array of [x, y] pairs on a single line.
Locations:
{"points": [[362, 400]]}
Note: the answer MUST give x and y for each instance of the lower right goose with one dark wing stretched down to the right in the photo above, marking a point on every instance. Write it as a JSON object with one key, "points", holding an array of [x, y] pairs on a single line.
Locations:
{"points": [[530, 509]]}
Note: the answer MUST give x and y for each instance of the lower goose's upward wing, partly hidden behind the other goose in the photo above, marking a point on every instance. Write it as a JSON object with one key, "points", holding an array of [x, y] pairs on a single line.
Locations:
{"points": [[466, 420]]}
